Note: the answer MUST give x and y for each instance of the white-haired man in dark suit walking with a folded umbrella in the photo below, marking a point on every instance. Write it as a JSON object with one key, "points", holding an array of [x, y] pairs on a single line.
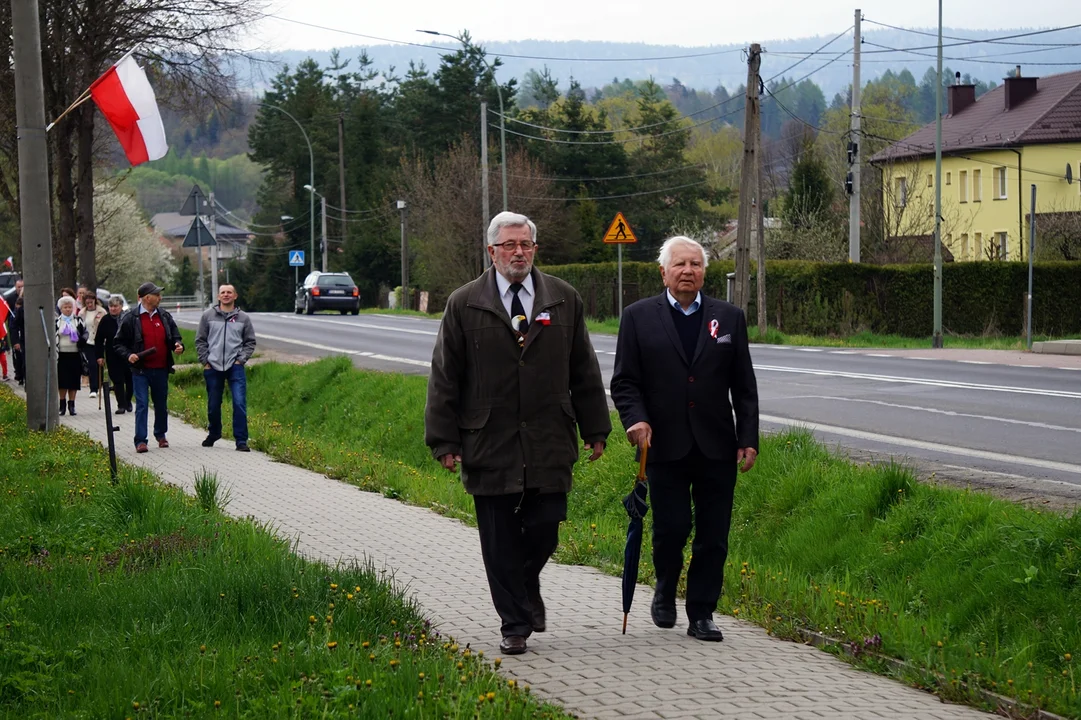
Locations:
{"points": [[679, 358]]}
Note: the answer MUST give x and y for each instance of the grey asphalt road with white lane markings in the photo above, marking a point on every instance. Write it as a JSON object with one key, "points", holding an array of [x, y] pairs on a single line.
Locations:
{"points": [[973, 418]]}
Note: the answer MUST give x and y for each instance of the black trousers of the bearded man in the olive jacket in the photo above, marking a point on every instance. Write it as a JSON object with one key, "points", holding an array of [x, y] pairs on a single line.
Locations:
{"points": [[518, 535]]}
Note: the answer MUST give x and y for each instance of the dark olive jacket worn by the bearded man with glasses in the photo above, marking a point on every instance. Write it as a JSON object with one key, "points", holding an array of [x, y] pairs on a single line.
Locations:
{"points": [[513, 412]]}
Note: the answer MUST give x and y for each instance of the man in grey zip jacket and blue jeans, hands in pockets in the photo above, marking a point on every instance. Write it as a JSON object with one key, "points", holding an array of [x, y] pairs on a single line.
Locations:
{"points": [[225, 342]]}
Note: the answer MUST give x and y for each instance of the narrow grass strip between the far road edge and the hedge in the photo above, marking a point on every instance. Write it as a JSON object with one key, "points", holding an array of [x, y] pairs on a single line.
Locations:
{"points": [[611, 326]]}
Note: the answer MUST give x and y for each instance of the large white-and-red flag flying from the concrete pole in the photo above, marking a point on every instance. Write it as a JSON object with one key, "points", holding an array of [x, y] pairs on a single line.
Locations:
{"points": [[126, 98]]}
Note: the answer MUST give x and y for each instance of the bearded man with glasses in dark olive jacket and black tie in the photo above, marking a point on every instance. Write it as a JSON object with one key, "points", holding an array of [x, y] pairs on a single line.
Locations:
{"points": [[514, 382]]}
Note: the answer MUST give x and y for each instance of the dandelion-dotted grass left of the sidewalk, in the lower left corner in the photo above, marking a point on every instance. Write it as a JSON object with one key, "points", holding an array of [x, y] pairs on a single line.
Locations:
{"points": [[132, 601]]}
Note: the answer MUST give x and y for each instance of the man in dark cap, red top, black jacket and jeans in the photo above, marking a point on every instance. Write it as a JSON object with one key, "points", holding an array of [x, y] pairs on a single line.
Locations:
{"points": [[149, 337]]}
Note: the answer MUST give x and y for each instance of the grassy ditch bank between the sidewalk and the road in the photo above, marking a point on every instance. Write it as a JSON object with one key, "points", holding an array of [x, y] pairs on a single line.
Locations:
{"points": [[864, 554]]}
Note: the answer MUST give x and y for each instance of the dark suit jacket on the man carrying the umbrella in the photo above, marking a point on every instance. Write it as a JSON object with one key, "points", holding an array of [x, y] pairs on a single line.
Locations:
{"points": [[686, 401]]}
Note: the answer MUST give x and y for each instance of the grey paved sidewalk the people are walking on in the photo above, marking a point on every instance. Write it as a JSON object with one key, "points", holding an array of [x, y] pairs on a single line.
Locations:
{"points": [[582, 662]]}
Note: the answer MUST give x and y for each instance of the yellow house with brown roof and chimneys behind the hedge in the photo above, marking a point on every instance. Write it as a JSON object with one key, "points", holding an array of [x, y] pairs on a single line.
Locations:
{"points": [[1025, 132]]}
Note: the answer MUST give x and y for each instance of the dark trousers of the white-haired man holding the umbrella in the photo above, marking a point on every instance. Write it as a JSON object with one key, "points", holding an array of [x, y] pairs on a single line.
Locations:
{"points": [[705, 488]]}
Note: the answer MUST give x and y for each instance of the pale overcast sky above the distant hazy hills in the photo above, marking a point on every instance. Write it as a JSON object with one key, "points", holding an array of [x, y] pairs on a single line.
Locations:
{"points": [[673, 22]]}
